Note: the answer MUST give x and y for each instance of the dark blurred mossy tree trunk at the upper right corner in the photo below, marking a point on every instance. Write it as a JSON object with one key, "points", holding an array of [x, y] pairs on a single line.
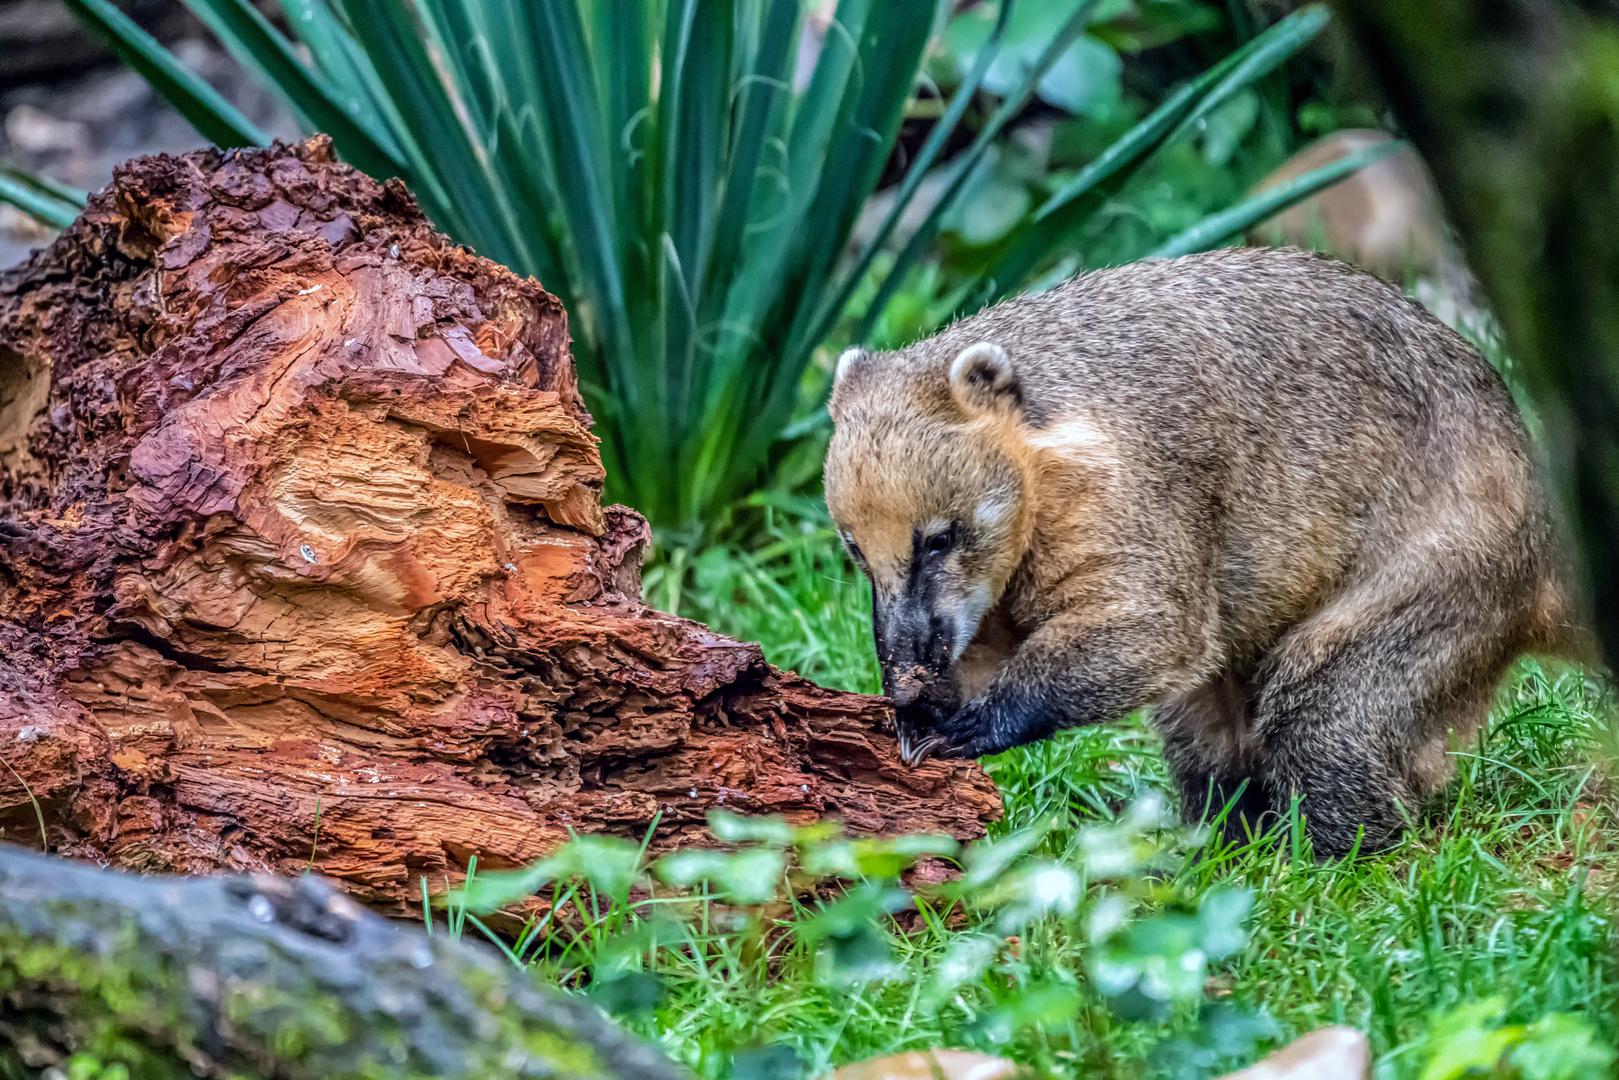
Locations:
{"points": [[1516, 108]]}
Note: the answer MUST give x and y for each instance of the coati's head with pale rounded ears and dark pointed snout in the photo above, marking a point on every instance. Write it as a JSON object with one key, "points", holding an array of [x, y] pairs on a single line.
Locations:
{"points": [[933, 509]]}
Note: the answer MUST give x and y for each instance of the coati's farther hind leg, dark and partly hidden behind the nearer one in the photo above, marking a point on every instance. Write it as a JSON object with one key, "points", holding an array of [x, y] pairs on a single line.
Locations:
{"points": [[1209, 746]]}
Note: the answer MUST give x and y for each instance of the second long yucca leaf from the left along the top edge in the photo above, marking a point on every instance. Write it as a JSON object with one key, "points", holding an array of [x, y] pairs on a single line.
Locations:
{"points": [[261, 49]]}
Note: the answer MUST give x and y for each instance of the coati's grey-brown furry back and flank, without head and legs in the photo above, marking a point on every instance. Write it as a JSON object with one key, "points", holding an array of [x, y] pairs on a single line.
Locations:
{"points": [[1285, 428]]}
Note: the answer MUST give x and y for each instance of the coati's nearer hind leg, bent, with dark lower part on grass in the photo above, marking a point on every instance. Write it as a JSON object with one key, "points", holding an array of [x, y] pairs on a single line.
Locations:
{"points": [[1354, 707]]}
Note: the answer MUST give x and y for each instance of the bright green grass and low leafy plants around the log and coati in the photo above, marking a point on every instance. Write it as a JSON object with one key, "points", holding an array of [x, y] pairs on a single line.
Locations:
{"points": [[1489, 929]]}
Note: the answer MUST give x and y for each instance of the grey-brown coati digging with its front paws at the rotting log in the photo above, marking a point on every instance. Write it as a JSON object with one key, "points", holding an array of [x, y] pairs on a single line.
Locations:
{"points": [[1257, 490]]}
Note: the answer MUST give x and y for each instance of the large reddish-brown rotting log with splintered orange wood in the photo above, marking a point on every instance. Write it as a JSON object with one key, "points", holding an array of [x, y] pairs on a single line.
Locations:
{"points": [[302, 551]]}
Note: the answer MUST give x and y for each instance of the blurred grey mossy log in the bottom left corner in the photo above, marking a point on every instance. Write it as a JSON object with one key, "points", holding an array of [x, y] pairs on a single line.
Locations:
{"points": [[265, 977]]}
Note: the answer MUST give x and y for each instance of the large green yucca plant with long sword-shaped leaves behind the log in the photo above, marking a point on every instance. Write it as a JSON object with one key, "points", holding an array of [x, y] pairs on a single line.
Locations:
{"points": [[653, 164]]}
